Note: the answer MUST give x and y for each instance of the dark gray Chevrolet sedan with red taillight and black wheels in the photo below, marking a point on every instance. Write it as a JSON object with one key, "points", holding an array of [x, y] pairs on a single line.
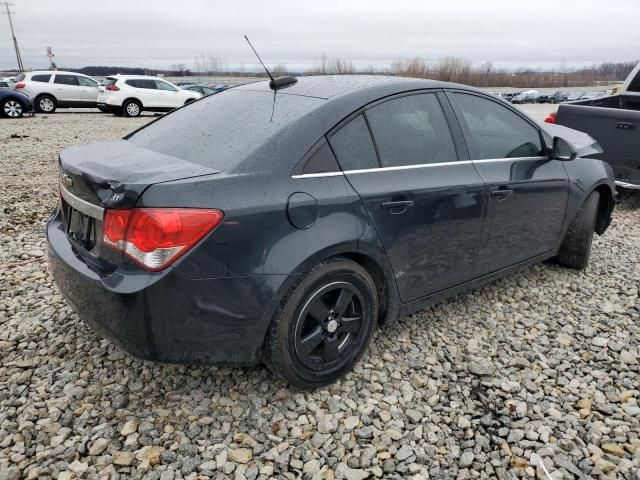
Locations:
{"points": [[280, 223]]}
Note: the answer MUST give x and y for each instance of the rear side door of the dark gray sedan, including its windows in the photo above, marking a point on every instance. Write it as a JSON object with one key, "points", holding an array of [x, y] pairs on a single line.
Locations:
{"points": [[424, 197]]}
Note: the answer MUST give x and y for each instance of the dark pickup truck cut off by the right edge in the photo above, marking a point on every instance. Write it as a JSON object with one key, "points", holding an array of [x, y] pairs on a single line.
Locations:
{"points": [[614, 122]]}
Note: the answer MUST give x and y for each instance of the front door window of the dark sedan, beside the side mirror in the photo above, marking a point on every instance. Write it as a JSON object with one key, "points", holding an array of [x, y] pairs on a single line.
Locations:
{"points": [[495, 131]]}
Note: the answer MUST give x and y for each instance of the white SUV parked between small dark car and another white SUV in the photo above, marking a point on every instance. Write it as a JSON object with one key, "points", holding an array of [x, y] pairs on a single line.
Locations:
{"points": [[52, 89]]}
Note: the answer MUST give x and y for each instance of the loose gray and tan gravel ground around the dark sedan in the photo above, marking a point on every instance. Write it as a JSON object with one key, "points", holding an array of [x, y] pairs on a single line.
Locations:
{"points": [[544, 361]]}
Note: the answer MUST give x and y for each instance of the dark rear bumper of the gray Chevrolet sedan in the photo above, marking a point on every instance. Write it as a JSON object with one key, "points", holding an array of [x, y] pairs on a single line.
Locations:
{"points": [[164, 316]]}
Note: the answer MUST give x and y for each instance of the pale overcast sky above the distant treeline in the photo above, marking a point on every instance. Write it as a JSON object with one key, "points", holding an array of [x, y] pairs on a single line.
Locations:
{"points": [[510, 33]]}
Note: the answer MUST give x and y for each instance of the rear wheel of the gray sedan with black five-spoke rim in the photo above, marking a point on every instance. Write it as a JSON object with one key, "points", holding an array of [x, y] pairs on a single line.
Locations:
{"points": [[323, 325]]}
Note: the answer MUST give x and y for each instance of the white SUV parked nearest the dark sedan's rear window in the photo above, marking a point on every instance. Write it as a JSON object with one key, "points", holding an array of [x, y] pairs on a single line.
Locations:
{"points": [[129, 95]]}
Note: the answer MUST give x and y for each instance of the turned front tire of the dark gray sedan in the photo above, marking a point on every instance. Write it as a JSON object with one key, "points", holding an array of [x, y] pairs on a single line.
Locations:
{"points": [[576, 246]]}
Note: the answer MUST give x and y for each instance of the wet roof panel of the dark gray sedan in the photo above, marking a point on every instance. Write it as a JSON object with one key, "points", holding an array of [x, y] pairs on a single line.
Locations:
{"points": [[330, 86]]}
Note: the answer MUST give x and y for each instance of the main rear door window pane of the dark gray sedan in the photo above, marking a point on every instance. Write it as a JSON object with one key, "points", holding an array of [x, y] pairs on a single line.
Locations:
{"points": [[411, 130]]}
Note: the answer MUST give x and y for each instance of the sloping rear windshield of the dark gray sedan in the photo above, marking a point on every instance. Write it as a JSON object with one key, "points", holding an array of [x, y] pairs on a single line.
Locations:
{"points": [[221, 129]]}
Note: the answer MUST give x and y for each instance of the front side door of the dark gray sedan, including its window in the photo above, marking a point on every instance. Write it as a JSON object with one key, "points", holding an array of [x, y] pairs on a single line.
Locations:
{"points": [[526, 190]]}
